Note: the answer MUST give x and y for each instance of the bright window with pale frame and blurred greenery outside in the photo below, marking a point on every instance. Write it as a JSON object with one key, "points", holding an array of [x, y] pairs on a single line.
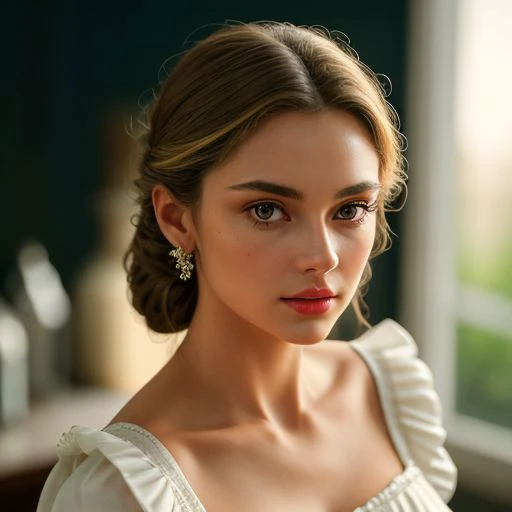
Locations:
{"points": [[457, 279]]}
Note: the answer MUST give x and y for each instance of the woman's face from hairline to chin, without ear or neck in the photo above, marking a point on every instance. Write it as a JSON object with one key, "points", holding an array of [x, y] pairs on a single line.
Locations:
{"points": [[286, 225]]}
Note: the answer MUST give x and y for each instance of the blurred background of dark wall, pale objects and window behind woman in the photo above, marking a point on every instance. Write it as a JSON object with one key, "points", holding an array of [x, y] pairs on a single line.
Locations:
{"points": [[74, 74]]}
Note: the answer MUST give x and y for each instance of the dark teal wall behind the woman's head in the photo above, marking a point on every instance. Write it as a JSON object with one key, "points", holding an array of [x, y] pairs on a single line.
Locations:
{"points": [[68, 62]]}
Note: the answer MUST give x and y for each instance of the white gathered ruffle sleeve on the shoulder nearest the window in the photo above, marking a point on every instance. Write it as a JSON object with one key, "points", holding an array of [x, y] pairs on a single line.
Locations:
{"points": [[410, 403]]}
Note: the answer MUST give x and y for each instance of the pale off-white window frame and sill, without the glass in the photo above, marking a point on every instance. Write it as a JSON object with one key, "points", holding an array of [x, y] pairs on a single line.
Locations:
{"points": [[429, 289]]}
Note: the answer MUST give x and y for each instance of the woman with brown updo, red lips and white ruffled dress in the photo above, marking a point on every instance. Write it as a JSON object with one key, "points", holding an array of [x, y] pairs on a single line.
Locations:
{"points": [[269, 160]]}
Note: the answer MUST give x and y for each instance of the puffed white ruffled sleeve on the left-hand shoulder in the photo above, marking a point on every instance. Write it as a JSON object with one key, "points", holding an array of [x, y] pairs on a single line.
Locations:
{"points": [[101, 472]]}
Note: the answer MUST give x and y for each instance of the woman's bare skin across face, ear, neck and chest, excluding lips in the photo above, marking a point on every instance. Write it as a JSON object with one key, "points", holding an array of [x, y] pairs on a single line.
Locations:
{"points": [[260, 412]]}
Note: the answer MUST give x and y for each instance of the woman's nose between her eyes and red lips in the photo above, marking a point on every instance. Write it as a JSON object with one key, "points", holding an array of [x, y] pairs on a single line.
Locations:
{"points": [[317, 252]]}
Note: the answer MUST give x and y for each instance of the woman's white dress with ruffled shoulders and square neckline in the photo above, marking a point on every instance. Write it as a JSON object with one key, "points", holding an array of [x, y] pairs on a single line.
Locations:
{"points": [[124, 468]]}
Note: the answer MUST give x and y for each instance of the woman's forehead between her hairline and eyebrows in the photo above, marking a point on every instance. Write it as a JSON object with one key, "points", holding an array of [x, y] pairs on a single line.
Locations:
{"points": [[299, 150]]}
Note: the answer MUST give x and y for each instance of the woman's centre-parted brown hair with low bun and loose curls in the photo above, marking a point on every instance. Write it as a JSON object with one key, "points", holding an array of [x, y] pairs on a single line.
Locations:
{"points": [[215, 97]]}
